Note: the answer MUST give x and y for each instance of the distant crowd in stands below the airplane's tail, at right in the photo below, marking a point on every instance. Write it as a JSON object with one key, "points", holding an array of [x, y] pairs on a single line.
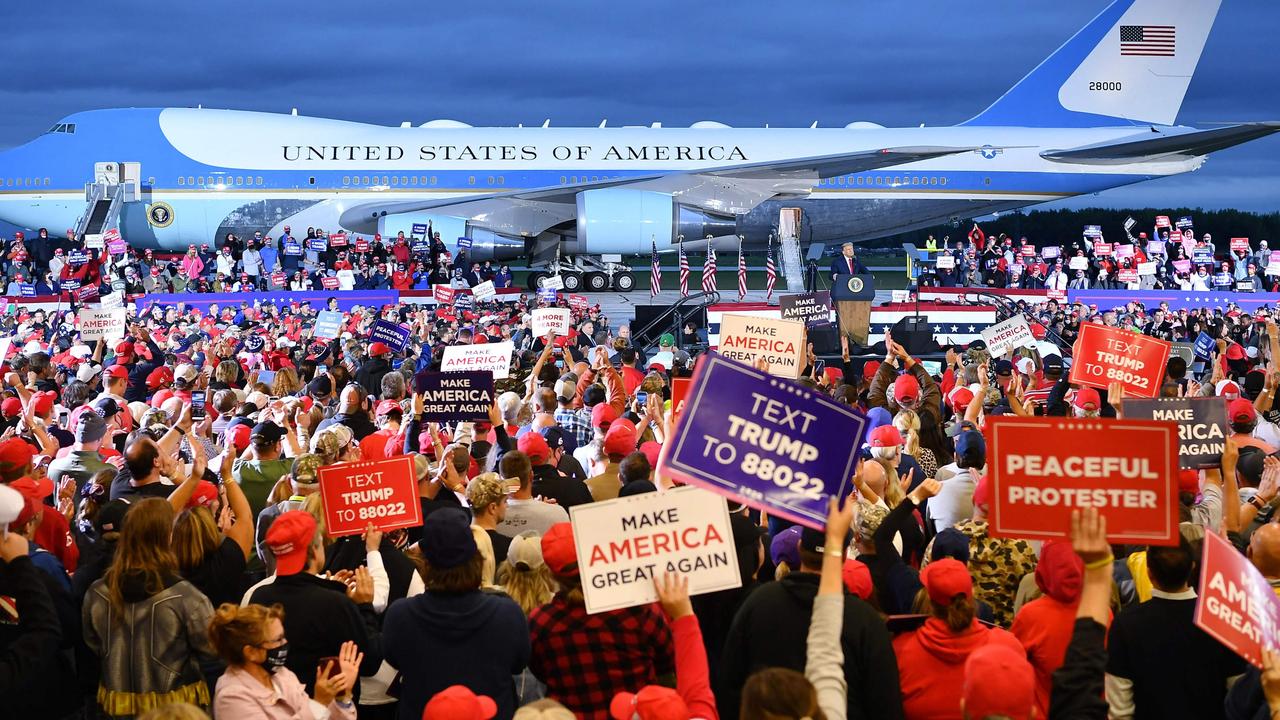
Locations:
{"points": [[1169, 259]]}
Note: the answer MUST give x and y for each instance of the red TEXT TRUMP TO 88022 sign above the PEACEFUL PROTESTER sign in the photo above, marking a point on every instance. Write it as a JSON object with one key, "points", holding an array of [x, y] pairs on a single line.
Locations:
{"points": [[1105, 356]]}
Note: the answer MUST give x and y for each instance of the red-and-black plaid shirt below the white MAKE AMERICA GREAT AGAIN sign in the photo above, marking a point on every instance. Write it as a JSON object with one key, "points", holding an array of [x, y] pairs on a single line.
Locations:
{"points": [[588, 659]]}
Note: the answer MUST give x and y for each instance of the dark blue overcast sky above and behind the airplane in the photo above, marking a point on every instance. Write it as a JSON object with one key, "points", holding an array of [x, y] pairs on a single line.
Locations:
{"points": [[744, 63]]}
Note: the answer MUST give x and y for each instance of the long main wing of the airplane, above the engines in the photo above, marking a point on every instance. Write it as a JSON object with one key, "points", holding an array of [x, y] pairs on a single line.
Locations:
{"points": [[729, 190]]}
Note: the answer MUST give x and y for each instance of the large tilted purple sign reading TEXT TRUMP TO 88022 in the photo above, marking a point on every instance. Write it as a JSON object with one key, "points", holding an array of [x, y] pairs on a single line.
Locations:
{"points": [[765, 441]]}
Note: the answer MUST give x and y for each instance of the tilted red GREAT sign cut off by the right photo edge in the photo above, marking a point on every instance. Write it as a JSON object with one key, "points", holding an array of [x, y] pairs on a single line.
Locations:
{"points": [[1236, 604]]}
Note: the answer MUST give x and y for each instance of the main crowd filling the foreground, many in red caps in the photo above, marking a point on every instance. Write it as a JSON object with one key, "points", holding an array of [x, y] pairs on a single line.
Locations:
{"points": [[166, 550]]}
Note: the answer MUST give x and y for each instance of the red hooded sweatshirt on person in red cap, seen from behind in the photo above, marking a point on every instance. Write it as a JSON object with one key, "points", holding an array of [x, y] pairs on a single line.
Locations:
{"points": [[931, 667]]}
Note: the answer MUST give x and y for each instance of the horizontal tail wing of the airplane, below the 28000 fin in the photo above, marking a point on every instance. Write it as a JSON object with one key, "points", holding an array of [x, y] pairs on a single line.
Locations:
{"points": [[1163, 144]]}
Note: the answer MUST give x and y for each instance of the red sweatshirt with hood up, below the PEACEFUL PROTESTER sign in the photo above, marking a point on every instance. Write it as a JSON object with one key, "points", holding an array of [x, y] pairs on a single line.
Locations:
{"points": [[1045, 626]]}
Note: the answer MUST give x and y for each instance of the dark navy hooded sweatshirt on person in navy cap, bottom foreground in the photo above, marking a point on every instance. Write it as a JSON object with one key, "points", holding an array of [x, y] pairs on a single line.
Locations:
{"points": [[438, 640]]}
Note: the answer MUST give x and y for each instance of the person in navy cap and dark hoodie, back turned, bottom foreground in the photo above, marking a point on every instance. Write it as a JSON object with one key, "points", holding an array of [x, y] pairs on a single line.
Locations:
{"points": [[455, 635]]}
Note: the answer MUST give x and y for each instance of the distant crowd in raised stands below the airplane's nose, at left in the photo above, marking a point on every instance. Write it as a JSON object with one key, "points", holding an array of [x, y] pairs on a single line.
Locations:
{"points": [[45, 266]]}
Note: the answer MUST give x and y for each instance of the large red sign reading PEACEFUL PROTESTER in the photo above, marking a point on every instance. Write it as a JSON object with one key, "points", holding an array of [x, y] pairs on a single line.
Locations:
{"points": [[1044, 468]]}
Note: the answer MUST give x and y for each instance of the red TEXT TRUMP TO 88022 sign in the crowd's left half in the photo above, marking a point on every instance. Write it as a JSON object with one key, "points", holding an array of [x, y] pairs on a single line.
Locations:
{"points": [[383, 493]]}
